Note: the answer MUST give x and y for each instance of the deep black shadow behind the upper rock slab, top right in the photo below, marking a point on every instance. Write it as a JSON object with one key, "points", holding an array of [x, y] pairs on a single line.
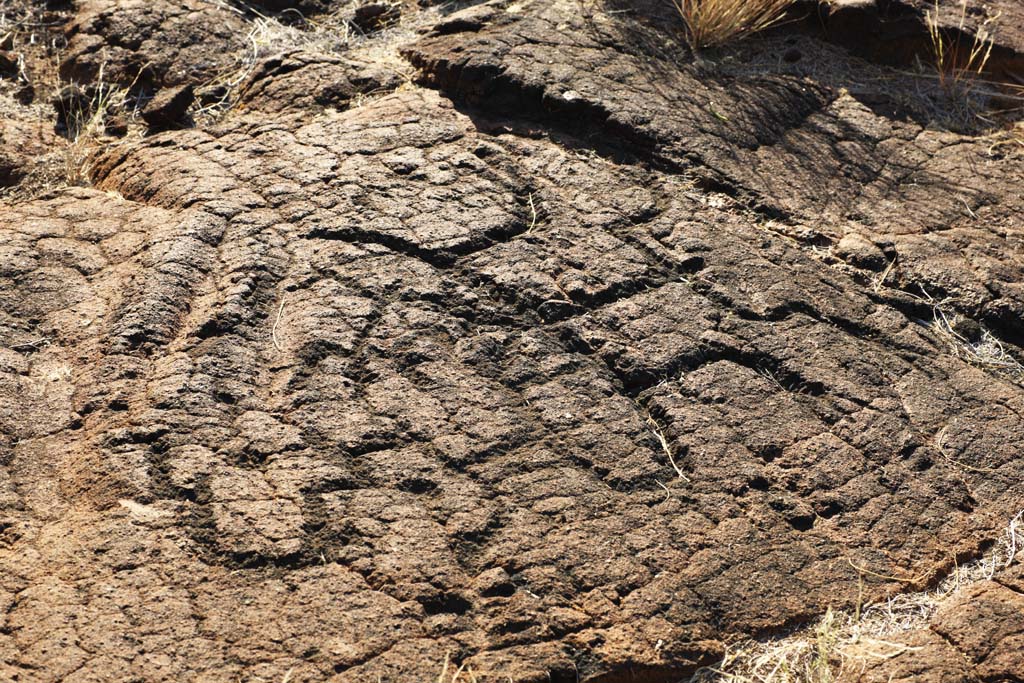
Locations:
{"points": [[884, 33]]}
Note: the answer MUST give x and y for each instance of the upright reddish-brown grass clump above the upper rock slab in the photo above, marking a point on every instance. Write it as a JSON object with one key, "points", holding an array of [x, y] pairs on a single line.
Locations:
{"points": [[713, 23]]}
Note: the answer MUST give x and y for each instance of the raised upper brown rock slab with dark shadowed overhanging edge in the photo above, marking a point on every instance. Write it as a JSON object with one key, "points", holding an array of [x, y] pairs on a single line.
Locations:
{"points": [[821, 163]]}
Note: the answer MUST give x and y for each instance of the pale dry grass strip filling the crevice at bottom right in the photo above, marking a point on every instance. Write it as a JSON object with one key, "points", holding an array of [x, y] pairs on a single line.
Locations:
{"points": [[840, 641]]}
